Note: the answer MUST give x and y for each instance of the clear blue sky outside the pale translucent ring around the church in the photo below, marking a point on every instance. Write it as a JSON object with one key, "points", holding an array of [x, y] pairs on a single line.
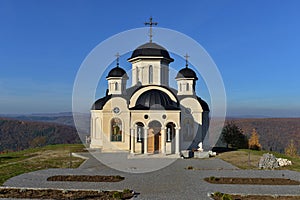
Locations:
{"points": [[255, 45]]}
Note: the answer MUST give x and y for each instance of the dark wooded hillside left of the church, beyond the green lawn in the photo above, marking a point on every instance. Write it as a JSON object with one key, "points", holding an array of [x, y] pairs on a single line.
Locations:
{"points": [[18, 134]]}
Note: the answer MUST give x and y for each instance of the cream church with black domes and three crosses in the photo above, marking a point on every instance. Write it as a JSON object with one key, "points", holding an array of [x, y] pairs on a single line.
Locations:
{"points": [[149, 117]]}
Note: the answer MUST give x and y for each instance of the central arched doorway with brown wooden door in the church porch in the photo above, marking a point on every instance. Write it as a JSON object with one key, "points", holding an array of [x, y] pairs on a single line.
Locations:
{"points": [[154, 137]]}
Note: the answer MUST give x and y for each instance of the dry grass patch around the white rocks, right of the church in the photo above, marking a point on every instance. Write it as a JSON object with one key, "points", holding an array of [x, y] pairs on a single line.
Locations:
{"points": [[240, 159]]}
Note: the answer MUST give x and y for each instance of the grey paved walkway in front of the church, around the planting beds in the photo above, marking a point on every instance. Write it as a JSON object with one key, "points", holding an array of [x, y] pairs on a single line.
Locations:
{"points": [[171, 182]]}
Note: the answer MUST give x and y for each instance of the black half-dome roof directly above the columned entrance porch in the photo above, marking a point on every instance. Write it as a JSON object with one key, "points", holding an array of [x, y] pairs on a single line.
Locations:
{"points": [[155, 99]]}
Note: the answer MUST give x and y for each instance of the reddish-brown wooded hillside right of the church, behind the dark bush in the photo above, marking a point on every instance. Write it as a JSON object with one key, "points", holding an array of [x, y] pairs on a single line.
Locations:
{"points": [[275, 133]]}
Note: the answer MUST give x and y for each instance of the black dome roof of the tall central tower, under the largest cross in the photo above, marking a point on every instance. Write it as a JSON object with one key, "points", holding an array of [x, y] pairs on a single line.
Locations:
{"points": [[151, 49]]}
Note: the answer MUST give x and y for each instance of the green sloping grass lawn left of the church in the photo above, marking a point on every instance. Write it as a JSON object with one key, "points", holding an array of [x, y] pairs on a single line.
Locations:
{"points": [[52, 156]]}
